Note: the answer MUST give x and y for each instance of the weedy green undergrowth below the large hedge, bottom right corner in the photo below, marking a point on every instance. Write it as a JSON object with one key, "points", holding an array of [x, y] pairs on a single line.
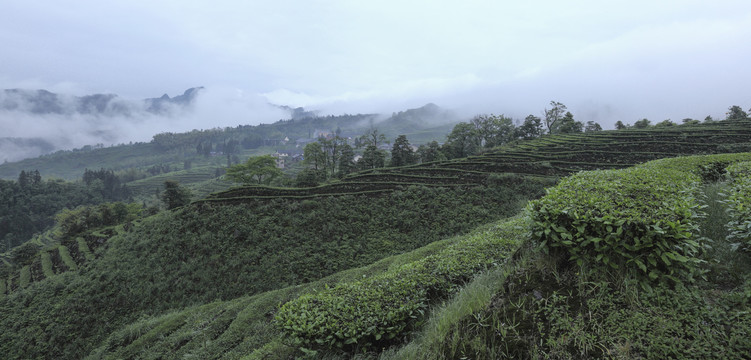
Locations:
{"points": [[538, 316]]}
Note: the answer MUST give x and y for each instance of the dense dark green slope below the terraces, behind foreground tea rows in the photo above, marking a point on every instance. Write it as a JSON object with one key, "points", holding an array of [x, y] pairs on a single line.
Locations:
{"points": [[206, 252]]}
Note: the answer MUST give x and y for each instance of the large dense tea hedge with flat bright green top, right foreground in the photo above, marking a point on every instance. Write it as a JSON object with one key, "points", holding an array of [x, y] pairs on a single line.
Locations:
{"points": [[641, 220]]}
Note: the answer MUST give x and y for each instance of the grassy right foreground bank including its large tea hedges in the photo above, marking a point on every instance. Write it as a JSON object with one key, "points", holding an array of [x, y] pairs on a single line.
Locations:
{"points": [[547, 306]]}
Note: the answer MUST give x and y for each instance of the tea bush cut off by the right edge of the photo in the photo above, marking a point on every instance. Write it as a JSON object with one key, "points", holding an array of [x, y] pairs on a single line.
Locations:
{"points": [[738, 202]]}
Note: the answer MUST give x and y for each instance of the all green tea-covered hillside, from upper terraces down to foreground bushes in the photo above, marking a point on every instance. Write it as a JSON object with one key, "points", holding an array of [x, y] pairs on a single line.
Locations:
{"points": [[233, 275]]}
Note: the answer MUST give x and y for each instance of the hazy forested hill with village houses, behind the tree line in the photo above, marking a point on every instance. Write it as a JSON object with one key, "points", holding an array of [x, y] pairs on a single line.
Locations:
{"points": [[172, 150]]}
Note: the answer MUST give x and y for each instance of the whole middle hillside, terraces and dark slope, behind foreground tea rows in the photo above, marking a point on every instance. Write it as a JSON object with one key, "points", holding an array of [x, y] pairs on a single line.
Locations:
{"points": [[235, 243]]}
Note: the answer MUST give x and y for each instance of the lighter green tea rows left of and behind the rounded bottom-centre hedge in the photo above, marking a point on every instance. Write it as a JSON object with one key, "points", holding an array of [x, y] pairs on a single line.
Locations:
{"points": [[251, 334]]}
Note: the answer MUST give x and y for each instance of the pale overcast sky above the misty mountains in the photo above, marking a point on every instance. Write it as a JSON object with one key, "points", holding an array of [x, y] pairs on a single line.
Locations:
{"points": [[607, 60]]}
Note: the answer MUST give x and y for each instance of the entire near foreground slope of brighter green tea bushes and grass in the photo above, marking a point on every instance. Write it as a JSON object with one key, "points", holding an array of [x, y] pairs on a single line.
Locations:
{"points": [[531, 301]]}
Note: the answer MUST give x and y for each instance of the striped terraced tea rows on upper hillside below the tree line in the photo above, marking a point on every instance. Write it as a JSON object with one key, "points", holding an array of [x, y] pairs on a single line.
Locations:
{"points": [[557, 155]]}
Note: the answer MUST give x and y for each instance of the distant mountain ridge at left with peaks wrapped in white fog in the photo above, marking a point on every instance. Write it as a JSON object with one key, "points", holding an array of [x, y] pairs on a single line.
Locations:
{"points": [[36, 122]]}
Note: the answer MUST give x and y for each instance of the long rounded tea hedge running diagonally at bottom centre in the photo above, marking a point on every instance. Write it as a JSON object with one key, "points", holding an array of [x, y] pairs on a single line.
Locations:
{"points": [[370, 312]]}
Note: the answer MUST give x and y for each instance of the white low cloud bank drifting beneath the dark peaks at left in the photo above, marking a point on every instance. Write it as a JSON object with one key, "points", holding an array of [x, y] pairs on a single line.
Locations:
{"points": [[28, 134]]}
